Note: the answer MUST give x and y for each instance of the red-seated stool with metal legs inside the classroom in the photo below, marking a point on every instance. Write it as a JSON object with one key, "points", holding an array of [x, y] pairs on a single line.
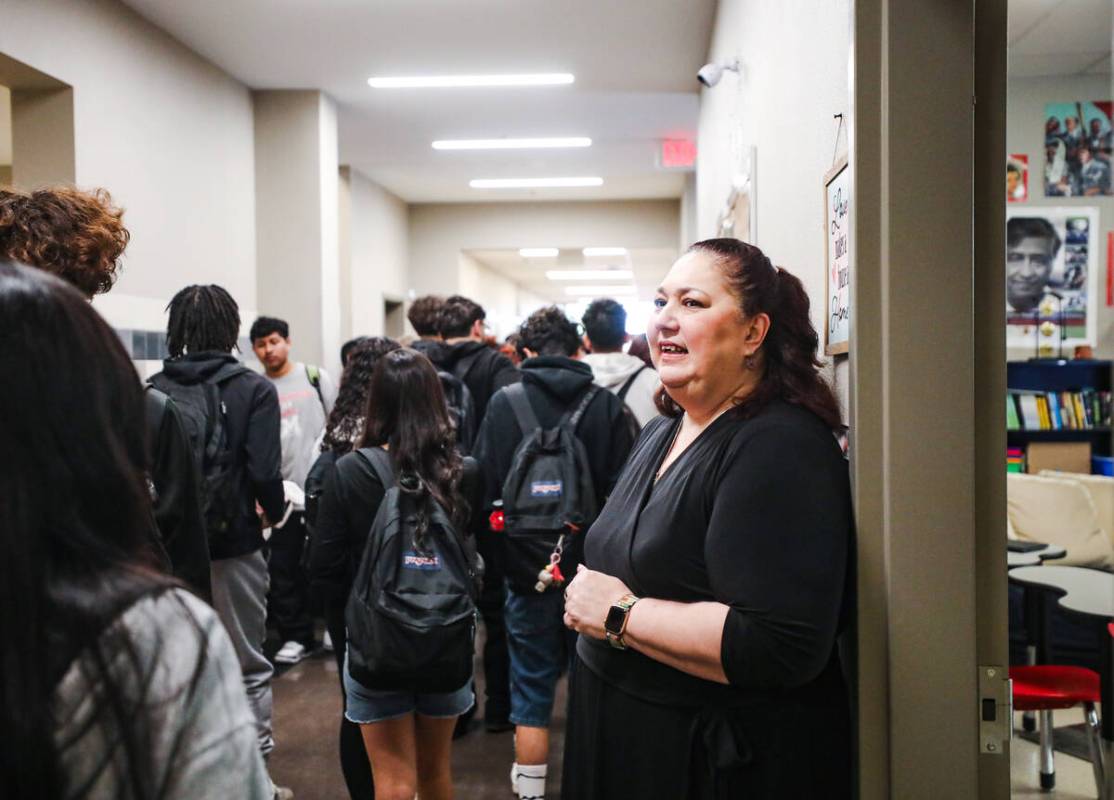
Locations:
{"points": [[1048, 688]]}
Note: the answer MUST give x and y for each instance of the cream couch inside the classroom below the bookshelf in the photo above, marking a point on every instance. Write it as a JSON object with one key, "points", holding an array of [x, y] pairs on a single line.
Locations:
{"points": [[1076, 512]]}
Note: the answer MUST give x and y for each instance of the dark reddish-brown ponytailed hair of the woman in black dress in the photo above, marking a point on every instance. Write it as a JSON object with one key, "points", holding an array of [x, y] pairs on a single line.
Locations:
{"points": [[789, 356]]}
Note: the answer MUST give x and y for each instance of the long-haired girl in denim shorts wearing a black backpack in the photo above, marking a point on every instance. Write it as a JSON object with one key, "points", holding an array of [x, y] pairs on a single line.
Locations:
{"points": [[393, 538]]}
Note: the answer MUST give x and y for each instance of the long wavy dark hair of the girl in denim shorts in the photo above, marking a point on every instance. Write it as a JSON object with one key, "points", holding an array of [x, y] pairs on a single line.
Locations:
{"points": [[407, 412]]}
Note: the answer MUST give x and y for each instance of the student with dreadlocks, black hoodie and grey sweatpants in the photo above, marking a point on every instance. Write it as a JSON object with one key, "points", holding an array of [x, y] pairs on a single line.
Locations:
{"points": [[234, 414]]}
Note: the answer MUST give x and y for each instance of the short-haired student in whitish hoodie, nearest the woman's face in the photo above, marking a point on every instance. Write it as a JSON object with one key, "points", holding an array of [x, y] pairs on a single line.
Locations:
{"points": [[628, 376]]}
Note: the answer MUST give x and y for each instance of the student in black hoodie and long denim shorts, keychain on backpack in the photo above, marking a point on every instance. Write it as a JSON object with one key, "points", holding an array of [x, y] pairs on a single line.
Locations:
{"points": [[551, 448]]}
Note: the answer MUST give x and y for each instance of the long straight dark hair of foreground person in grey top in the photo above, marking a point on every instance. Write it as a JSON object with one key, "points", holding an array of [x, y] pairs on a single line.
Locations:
{"points": [[75, 531]]}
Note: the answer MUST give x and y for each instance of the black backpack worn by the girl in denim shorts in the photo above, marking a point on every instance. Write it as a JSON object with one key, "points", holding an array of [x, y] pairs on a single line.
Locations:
{"points": [[412, 614]]}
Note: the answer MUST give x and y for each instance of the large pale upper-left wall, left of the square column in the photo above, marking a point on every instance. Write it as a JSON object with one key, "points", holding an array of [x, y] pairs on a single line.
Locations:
{"points": [[168, 133]]}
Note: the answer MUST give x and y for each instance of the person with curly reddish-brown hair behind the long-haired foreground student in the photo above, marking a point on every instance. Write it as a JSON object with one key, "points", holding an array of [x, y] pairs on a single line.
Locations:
{"points": [[80, 237]]}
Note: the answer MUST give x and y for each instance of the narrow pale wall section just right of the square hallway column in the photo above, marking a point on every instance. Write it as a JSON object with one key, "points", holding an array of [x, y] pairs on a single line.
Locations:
{"points": [[379, 242]]}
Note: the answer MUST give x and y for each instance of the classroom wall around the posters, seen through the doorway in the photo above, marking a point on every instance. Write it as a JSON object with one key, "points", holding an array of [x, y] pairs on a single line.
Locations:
{"points": [[1025, 125]]}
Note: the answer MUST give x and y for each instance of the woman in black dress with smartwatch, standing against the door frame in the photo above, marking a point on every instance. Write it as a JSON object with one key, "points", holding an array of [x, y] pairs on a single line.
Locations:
{"points": [[717, 579]]}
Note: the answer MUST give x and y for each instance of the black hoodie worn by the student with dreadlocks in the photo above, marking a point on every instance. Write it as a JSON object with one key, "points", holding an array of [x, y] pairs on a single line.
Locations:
{"points": [[253, 424]]}
